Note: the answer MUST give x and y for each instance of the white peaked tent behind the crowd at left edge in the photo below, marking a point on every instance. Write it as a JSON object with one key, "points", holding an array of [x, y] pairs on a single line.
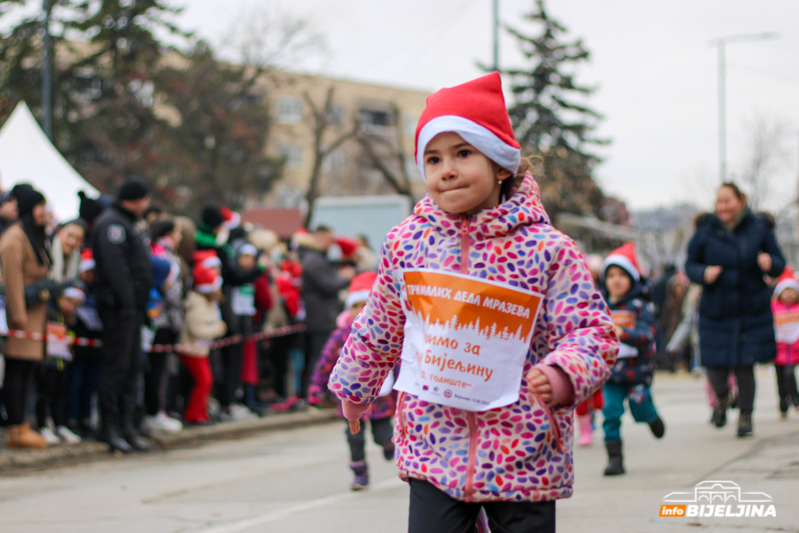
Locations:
{"points": [[28, 156]]}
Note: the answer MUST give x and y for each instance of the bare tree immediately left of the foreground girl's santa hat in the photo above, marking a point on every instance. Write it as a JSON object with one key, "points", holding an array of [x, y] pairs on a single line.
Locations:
{"points": [[388, 157]]}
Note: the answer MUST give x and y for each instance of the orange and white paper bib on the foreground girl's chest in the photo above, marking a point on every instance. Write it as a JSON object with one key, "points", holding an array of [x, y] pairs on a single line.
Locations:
{"points": [[466, 339]]}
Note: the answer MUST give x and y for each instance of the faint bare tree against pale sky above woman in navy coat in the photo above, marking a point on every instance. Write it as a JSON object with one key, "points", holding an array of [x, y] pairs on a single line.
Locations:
{"points": [[766, 156]]}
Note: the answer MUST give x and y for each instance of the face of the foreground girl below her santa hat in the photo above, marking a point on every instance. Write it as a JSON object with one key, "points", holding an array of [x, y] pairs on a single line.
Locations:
{"points": [[459, 178]]}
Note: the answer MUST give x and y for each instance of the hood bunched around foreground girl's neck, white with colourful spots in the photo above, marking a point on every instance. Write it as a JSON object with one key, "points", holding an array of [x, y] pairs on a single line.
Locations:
{"points": [[524, 208]]}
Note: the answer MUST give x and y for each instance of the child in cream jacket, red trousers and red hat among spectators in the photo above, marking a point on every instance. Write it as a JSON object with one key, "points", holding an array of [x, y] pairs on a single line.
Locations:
{"points": [[202, 324]]}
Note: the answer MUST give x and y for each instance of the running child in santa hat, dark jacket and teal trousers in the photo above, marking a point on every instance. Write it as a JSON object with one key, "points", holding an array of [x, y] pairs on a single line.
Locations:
{"points": [[631, 377]]}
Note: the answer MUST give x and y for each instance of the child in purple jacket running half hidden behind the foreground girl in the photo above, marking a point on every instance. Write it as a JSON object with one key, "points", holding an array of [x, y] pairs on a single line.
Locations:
{"points": [[382, 409]]}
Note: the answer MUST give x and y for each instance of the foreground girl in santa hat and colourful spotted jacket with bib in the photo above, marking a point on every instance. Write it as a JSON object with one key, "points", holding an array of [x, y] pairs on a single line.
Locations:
{"points": [[499, 326]]}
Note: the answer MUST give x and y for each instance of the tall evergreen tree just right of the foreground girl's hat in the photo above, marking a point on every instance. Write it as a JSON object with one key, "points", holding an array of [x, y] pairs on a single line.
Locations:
{"points": [[549, 119]]}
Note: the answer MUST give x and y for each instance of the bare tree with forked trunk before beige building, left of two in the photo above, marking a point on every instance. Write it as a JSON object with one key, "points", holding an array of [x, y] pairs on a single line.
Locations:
{"points": [[321, 120]]}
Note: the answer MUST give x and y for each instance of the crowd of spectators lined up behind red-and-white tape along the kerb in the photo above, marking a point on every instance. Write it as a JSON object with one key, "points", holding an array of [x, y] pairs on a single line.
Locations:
{"points": [[128, 320]]}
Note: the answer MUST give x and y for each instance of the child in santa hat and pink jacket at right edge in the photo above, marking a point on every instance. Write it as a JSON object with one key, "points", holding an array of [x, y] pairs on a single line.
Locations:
{"points": [[785, 307]]}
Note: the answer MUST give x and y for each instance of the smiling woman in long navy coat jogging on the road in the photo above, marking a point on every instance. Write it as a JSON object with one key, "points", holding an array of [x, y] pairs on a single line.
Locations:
{"points": [[728, 255]]}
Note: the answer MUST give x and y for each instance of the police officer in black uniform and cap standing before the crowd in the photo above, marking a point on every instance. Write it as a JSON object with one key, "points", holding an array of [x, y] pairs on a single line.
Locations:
{"points": [[124, 278]]}
